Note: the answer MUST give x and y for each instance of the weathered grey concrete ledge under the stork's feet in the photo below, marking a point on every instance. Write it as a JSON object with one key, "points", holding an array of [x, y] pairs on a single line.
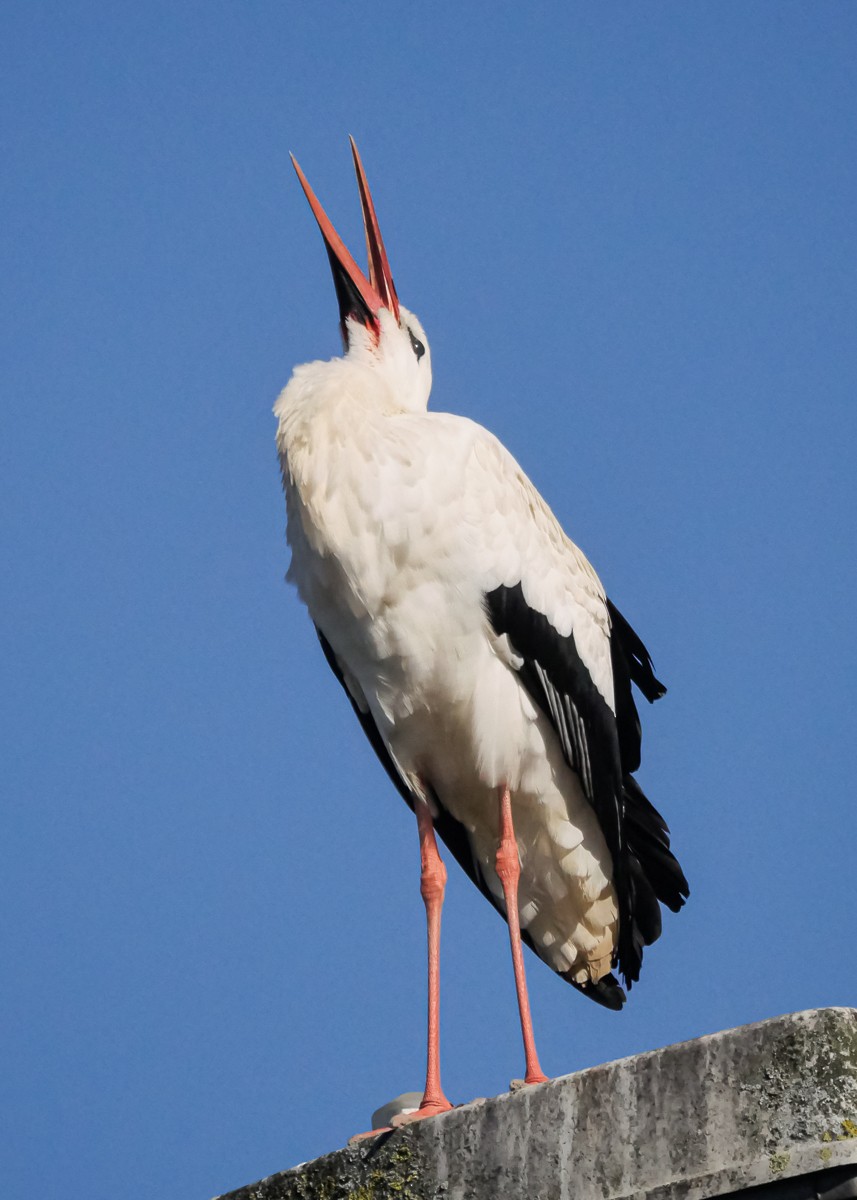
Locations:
{"points": [[754, 1106]]}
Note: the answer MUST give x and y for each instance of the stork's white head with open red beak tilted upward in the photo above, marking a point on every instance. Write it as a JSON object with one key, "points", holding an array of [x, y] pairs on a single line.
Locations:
{"points": [[377, 331]]}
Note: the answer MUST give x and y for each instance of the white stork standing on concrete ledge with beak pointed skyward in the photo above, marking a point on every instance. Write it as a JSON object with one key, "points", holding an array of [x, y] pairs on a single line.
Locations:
{"points": [[478, 649]]}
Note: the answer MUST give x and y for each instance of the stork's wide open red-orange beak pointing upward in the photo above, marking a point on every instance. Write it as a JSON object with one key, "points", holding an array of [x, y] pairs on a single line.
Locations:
{"points": [[359, 298]]}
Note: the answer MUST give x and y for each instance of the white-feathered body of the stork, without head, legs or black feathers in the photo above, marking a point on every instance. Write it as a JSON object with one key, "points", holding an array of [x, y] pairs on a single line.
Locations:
{"points": [[429, 515]]}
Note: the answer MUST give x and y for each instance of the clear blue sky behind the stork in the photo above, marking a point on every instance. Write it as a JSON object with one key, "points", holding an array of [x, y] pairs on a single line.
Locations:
{"points": [[630, 231]]}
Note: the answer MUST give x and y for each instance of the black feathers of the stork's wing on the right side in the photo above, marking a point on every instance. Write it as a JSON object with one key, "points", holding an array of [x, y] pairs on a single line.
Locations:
{"points": [[604, 749]]}
